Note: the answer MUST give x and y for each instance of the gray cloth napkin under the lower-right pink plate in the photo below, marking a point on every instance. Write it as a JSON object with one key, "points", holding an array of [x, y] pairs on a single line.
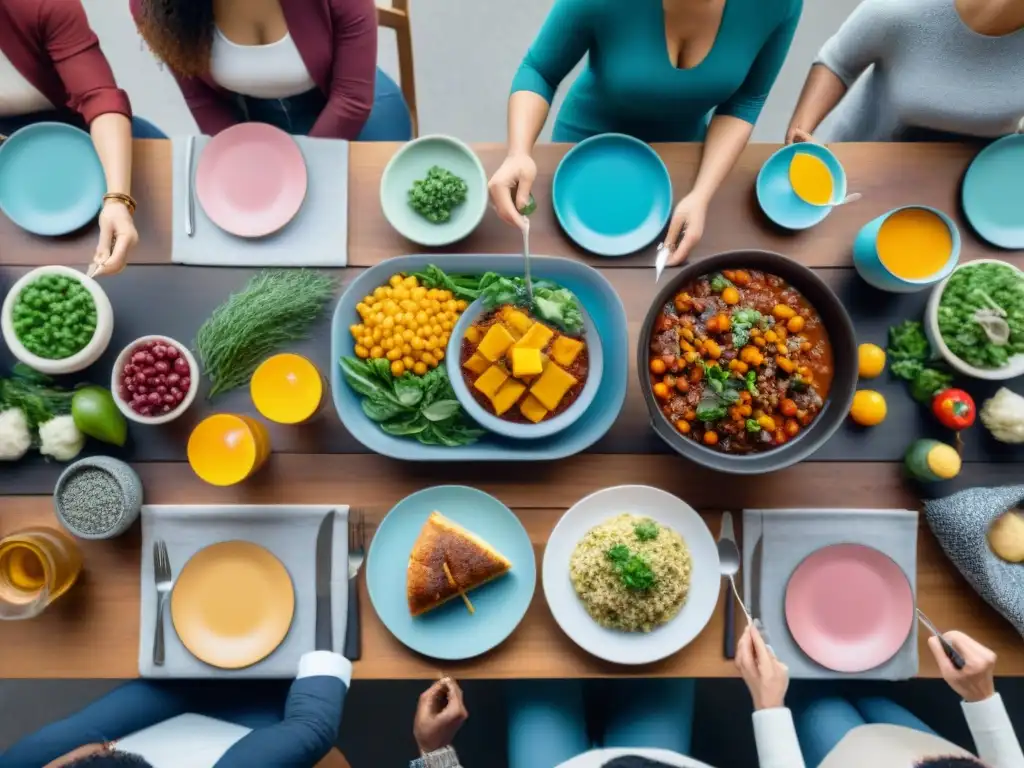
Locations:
{"points": [[788, 537]]}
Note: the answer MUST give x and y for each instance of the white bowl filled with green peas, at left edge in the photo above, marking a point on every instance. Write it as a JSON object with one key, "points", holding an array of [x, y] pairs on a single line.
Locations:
{"points": [[57, 321]]}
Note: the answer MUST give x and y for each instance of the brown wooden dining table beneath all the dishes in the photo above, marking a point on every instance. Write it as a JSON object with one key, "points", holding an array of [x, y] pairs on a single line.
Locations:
{"points": [[94, 632]]}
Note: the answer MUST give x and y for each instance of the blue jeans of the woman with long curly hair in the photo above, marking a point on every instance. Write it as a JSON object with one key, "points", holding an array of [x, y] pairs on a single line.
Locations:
{"points": [[390, 119]]}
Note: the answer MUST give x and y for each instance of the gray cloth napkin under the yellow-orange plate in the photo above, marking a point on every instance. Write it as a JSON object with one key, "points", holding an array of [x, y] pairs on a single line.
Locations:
{"points": [[289, 532]]}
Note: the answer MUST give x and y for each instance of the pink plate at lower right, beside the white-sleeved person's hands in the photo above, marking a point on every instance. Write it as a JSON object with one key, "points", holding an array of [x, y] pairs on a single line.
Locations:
{"points": [[849, 608]]}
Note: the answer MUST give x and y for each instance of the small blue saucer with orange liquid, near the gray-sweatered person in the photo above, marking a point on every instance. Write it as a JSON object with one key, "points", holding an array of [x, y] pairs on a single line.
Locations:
{"points": [[776, 195]]}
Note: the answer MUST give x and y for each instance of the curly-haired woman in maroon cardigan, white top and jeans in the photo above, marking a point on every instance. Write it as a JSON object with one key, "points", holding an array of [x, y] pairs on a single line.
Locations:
{"points": [[308, 67]]}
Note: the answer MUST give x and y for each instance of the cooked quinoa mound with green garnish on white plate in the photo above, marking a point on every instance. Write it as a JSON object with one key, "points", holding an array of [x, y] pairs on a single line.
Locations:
{"points": [[601, 586]]}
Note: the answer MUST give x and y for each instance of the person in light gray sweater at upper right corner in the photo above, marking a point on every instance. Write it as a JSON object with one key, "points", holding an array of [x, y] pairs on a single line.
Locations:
{"points": [[933, 70]]}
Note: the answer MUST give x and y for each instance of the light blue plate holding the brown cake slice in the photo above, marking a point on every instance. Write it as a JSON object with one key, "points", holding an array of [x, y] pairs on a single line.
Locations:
{"points": [[450, 632]]}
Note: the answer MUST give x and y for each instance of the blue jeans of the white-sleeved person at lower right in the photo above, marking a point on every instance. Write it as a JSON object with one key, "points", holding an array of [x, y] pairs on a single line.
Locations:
{"points": [[823, 722]]}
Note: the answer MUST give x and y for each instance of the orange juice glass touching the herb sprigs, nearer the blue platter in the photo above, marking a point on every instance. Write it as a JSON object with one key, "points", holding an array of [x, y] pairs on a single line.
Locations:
{"points": [[288, 390]]}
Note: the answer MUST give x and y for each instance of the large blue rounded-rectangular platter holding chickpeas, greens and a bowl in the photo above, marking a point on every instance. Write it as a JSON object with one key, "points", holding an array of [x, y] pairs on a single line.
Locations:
{"points": [[595, 293]]}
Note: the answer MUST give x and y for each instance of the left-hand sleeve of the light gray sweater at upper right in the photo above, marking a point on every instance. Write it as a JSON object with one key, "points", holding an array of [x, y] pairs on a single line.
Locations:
{"points": [[862, 40]]}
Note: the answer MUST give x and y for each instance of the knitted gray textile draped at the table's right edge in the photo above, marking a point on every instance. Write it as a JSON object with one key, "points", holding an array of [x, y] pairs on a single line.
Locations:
{"points": [[961, 524]]}
